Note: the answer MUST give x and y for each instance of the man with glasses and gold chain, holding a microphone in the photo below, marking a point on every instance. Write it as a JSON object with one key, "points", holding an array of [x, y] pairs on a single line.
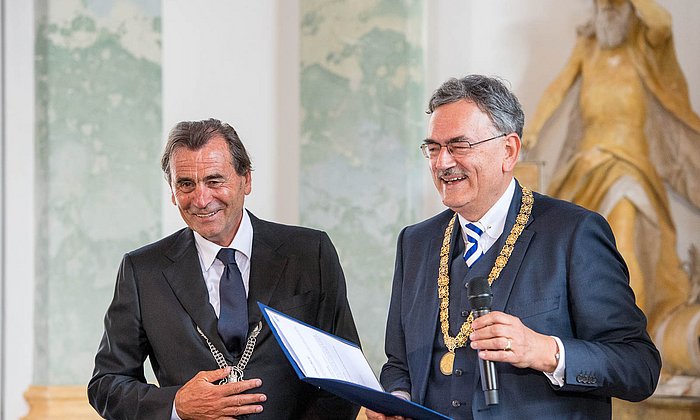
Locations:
{"points": [[564, 332]]}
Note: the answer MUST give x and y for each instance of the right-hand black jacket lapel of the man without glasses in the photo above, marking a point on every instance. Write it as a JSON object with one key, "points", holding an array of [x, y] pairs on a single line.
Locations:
{"points": [[266, 268]]}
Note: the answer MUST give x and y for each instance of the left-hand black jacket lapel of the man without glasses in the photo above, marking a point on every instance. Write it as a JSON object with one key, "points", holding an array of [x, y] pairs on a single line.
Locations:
{"points": [[186, 281]]}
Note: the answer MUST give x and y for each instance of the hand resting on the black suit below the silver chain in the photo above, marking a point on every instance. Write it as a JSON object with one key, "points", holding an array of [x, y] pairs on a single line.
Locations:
{"points": [[200, 398]]}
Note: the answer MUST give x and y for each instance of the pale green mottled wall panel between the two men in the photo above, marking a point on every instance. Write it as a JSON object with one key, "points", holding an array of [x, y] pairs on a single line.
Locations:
{"points": [[362, 106]]}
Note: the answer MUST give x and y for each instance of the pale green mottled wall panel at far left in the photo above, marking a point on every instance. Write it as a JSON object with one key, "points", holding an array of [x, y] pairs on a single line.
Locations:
{"points": [[98, 182]]}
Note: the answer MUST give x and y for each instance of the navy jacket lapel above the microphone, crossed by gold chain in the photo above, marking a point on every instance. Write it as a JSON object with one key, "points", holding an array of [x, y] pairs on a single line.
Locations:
{"points": [[504, 284]]}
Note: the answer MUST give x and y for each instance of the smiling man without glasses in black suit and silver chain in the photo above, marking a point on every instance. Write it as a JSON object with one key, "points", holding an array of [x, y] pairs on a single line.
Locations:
{"points": [[192, 310]]}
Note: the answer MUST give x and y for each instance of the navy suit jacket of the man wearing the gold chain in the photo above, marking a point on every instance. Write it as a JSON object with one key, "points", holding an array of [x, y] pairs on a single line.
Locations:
{"points": [[564, 278]]}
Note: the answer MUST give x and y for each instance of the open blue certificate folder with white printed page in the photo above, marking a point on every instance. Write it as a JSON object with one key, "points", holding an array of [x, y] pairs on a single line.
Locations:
{"points": [[301, 343]]}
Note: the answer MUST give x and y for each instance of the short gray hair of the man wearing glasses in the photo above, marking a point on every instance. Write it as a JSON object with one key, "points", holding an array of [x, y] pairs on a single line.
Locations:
{"points": [[489, 94]]}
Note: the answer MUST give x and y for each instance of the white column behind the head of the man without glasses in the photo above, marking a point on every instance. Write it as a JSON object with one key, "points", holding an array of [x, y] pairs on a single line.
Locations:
{"points": [[238, 62]]}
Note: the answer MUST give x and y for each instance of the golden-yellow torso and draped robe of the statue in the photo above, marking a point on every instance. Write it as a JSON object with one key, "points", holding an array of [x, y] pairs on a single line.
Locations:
{"points": [[632, 128]]}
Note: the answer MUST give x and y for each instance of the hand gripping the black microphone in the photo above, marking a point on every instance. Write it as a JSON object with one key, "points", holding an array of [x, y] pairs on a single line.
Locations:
{"points": [[506, 339]]}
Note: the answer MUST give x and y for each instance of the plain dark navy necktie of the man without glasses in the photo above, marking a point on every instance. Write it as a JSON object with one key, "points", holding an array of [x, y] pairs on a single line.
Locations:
{"points": [[233, 313]]}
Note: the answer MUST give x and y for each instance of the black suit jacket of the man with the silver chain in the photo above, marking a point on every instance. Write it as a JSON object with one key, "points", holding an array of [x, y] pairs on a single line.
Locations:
{"points": [[161, 297]]}
